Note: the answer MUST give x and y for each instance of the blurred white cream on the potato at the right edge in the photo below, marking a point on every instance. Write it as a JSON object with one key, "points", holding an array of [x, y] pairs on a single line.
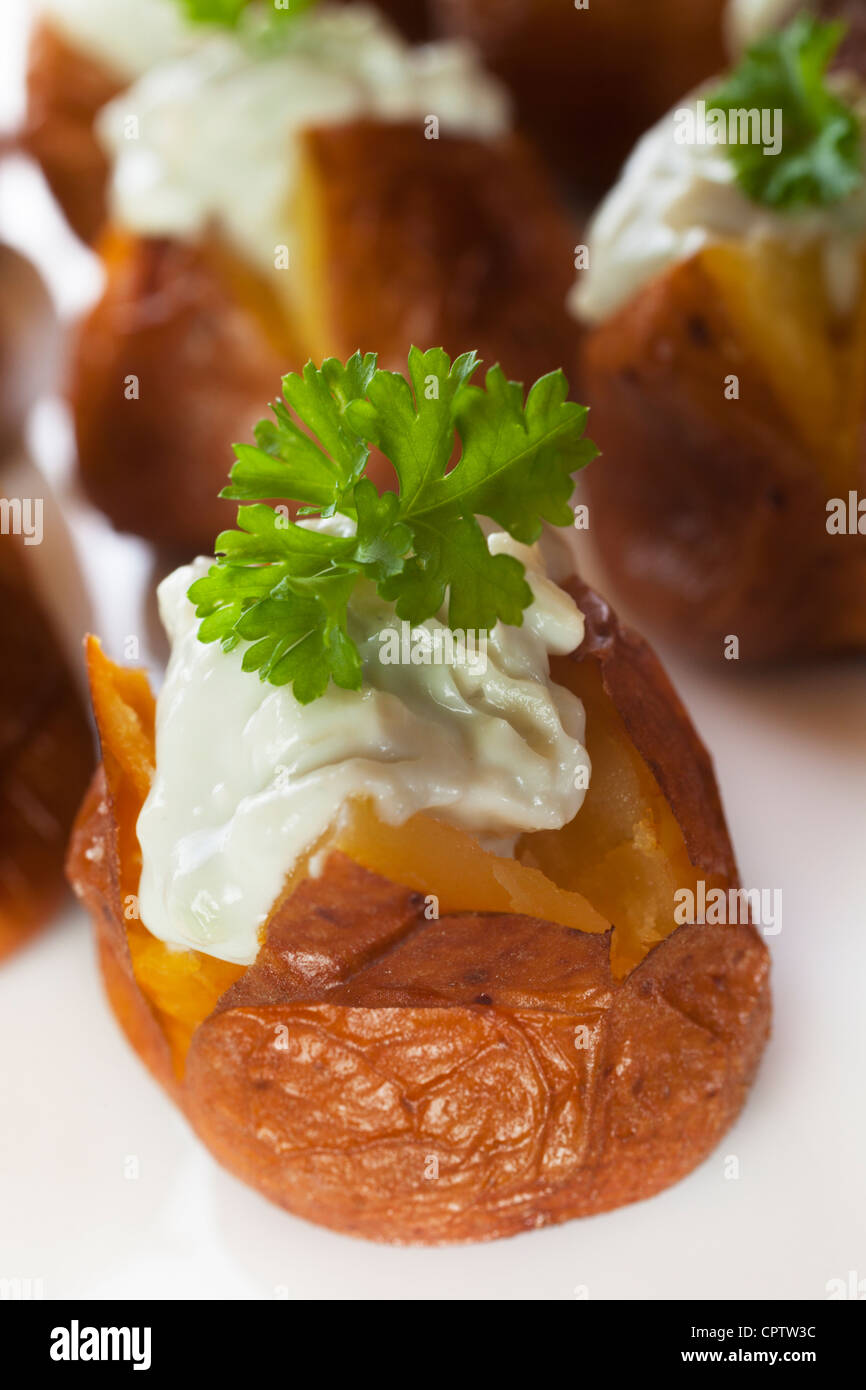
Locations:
{"points": [[673, 199]]}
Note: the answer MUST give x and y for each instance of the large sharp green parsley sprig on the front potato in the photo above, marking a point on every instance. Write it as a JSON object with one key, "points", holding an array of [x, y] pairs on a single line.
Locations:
{"points": [[284, 589]]}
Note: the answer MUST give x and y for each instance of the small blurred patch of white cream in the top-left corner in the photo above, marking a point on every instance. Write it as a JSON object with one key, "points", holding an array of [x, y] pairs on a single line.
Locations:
{"points": [[127, 35]]}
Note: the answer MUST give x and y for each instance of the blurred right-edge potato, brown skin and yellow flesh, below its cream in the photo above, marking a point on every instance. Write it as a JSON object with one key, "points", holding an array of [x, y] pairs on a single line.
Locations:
{"points": [[712, 514]]}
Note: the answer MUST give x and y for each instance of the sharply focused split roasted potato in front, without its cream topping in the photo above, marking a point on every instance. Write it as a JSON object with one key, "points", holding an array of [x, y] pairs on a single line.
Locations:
{"points": [[509, 1065]]}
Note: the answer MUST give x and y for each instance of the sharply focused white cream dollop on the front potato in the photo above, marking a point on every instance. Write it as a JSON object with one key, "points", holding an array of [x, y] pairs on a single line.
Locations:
{"points": [[248, 780]]}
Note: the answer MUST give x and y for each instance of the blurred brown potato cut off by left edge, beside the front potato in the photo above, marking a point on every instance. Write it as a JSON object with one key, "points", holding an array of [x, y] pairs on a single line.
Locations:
{"points": [[47, 758]]}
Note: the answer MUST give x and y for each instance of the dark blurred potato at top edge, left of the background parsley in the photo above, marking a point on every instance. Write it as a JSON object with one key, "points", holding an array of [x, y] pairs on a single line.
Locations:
{"points": [[590, 81]]}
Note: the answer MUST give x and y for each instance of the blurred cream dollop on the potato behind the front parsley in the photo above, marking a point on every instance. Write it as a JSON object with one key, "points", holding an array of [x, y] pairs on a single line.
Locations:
{"points": [[215, 136]]}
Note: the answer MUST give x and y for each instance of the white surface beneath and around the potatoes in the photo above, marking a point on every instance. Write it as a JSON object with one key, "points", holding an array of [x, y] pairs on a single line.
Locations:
{"points": [[76, 1104]]}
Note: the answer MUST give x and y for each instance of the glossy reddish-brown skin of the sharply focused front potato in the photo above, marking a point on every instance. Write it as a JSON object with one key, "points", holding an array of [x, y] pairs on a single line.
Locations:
{"points": [[425, 1082]]}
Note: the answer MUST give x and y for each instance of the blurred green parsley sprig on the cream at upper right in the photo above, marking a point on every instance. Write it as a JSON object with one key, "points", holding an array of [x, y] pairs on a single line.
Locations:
{"points": [[821, 159]]}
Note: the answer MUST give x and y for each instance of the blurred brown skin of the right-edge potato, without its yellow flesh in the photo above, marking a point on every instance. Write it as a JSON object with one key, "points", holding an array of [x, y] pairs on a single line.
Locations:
{"points": [[711, 516]]}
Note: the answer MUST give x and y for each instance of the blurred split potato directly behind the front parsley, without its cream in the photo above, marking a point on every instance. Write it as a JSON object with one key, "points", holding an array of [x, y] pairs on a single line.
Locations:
{"points": [[401, 240]]}
